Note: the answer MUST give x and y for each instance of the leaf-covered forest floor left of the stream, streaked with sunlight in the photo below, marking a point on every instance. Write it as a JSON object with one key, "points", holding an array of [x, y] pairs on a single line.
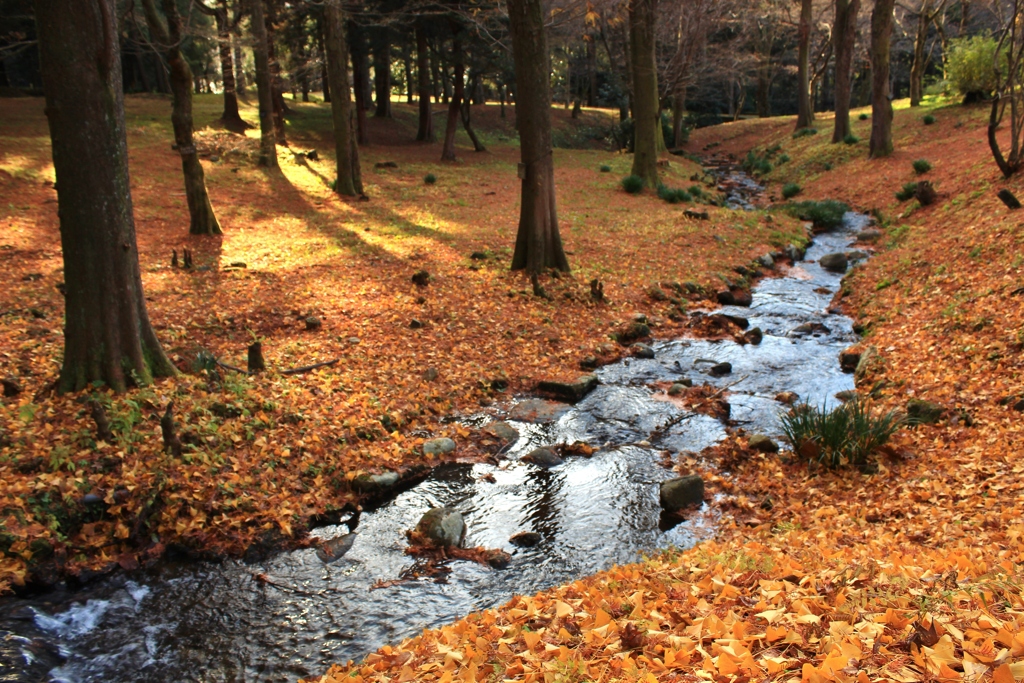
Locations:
{"points": [[267, 454]]}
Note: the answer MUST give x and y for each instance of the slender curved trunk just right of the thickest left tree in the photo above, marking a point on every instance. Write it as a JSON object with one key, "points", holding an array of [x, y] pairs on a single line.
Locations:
{"points": [[202, 219]]}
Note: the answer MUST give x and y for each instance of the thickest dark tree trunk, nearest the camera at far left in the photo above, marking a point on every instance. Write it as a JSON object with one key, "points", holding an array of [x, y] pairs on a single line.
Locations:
{"points": [[108, 335]]}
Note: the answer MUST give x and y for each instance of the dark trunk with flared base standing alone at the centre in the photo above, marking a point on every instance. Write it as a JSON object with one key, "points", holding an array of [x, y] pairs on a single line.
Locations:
{"points": [[538, 244]]}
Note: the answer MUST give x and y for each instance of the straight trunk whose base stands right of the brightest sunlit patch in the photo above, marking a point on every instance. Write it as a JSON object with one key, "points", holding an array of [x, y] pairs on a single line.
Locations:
{"points": [[347, 153]]}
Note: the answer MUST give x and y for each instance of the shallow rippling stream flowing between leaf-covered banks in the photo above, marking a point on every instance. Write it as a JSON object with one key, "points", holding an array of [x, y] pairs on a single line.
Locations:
{"points": [[217, 622]]}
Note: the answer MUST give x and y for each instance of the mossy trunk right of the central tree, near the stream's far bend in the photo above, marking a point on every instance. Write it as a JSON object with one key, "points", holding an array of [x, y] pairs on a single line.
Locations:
{"points": [[646, 109]]}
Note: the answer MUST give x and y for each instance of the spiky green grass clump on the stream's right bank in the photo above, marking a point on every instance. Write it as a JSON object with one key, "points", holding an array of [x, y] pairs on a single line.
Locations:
{"points": [[845, 436]]}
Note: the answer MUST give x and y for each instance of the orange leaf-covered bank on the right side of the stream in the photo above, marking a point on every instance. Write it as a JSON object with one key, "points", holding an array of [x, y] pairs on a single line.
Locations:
{"points": [[910, 574]]}
